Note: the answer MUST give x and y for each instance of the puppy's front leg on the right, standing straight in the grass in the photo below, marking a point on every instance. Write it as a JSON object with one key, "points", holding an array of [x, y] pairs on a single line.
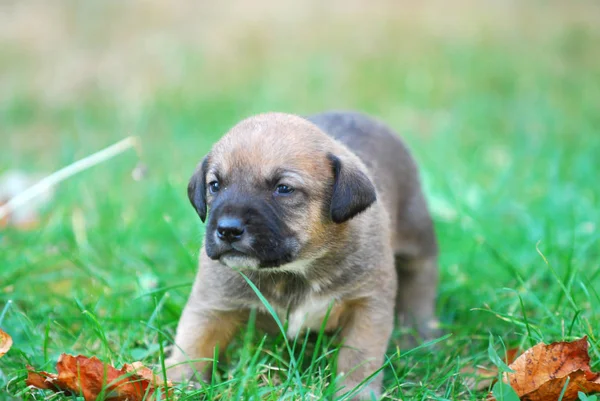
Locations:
{"points": [[365, 336]]}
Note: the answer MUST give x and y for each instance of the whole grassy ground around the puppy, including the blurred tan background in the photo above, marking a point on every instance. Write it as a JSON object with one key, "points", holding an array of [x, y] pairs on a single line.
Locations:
{"points": [[498, 101]]}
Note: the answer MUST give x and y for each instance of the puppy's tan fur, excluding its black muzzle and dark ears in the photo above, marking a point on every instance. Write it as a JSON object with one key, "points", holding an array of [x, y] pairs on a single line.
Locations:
{"points": [[355, 266]]}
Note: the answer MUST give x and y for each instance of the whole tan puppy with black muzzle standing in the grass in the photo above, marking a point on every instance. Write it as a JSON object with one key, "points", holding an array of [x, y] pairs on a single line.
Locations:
{"points": [[317, 213]]}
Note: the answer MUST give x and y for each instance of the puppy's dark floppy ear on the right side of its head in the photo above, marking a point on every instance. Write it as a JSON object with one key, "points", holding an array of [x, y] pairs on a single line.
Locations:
{"points": [[353, 191]]}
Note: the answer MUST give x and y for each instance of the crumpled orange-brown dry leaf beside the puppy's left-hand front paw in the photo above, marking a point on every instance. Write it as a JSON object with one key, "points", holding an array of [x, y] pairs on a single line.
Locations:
{"points": [[90, 377]]}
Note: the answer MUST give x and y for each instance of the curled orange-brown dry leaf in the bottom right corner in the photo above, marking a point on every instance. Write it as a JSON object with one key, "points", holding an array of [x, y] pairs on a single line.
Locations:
{"points": [[543, 371]]}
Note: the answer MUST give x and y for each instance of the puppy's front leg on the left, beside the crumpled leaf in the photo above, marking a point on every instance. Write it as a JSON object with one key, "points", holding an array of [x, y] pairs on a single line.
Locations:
{"points": [[198, 333]]}
